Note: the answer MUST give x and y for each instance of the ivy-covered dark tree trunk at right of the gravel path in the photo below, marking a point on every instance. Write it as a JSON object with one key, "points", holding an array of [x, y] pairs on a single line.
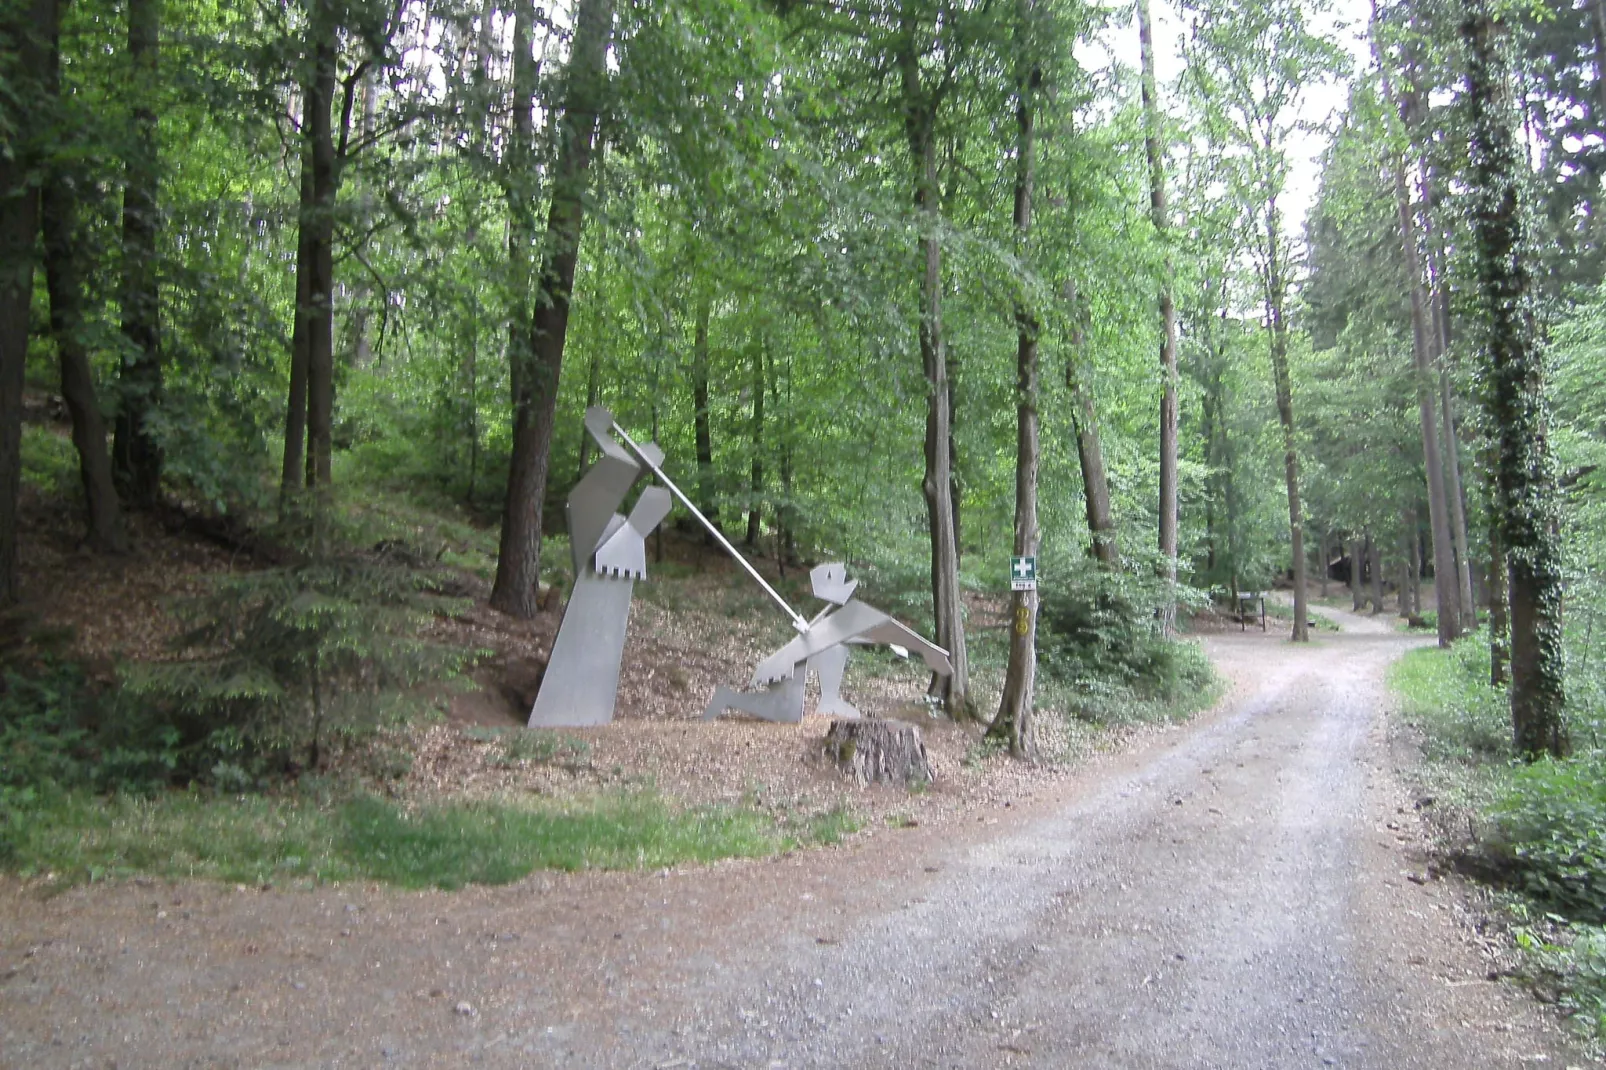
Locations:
{"points": [[1514, 399]]}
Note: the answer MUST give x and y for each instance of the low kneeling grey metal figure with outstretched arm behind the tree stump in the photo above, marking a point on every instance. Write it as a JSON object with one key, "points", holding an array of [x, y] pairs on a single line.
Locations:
{"points": [[823, 648]]}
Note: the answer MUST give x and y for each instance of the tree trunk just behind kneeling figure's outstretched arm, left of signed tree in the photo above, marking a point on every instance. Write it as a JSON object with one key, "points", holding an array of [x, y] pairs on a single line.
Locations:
{"points": [[937, 486]]}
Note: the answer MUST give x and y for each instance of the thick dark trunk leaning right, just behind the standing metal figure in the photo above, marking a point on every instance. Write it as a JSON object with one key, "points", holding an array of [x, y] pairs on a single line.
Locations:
{"points": [[520, 557]]}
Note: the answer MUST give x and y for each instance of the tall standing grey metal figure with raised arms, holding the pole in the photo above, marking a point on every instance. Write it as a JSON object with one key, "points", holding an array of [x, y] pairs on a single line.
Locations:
{"points": [[609, 552]]}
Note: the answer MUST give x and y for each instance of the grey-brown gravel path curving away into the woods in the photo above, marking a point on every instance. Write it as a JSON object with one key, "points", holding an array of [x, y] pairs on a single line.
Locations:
{"points": [[1244, 892]]}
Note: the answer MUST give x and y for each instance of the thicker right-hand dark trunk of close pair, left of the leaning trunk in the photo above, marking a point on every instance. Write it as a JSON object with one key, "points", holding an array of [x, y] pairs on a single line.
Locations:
{"points": [[320, 288]]}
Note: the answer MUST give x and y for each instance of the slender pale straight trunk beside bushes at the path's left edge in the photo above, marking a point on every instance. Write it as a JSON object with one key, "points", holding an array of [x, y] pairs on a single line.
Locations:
{"points": [[1168, 319]]}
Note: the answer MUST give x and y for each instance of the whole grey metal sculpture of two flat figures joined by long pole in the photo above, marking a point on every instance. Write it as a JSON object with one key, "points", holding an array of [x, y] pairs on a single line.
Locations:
{"points": [[609, 550]]}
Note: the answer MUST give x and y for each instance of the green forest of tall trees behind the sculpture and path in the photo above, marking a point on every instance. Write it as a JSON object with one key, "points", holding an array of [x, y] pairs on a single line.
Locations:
{"points": [[1257, 295]]}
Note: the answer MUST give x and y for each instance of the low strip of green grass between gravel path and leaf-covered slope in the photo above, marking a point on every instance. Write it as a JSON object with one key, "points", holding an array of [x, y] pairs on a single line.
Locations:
{"points": [[255, 839]]}
